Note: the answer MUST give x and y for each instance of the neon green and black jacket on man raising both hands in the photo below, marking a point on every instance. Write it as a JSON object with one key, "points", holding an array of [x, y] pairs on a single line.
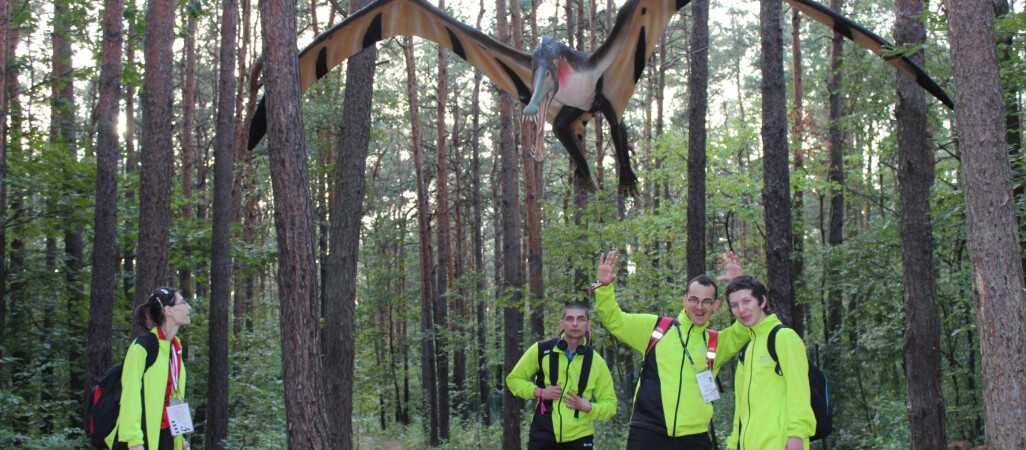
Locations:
{"points": [[667, 397]]}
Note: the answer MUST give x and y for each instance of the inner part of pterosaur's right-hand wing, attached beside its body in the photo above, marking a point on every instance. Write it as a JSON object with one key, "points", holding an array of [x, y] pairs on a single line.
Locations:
{"points": [[622, 58]]}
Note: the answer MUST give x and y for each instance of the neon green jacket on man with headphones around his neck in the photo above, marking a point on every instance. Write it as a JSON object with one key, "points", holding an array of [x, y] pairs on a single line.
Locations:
{"points": [[565, 426]]}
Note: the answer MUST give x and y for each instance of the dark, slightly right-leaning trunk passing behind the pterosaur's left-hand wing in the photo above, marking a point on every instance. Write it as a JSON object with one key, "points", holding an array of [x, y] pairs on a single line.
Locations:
{"points": [[347, 216]]}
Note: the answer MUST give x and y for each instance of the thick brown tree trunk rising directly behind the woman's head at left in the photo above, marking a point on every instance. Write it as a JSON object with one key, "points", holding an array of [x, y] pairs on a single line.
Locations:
{"points": [[155, 186]]}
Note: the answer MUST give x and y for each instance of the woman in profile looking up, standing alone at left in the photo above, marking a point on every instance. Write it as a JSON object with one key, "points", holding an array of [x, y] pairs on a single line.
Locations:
{"points": [[146, 394]]}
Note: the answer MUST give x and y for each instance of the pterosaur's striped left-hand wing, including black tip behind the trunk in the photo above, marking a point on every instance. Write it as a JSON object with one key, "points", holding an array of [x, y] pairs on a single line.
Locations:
{"points": [[509, 69]]}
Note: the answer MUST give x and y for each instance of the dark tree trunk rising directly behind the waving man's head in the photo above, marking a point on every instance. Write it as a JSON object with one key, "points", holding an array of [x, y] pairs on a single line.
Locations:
{"points": [[698, 87]]}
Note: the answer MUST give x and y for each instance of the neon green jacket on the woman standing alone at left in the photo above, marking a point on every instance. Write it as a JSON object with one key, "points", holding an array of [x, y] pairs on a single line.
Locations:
{"points": [[151, 386]]}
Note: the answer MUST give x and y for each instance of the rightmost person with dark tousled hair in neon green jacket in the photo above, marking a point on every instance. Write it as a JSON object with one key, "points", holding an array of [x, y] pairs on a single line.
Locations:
{"points": [[772, 400]]}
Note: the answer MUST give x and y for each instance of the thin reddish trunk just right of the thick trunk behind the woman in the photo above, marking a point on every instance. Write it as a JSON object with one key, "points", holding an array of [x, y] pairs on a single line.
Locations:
{"points": [[189, 91]]}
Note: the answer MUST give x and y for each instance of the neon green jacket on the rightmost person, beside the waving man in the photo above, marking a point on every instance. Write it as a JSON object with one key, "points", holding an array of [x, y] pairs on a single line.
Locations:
{"points": [[770, 408]]}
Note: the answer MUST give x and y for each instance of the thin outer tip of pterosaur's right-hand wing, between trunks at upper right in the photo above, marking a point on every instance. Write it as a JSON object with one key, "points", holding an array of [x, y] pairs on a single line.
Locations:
{"points": [[872, 42]]}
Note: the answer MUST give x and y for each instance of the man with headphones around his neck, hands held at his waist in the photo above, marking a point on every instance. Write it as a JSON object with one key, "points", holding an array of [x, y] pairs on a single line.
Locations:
{"points": [[566, 414]]}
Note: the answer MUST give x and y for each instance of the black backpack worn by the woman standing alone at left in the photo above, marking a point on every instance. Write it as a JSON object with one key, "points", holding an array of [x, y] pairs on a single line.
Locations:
{"points": [[104, 402]]}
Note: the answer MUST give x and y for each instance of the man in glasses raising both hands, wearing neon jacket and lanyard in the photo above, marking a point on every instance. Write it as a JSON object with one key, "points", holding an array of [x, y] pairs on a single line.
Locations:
{"points": [[670, 411]]}
